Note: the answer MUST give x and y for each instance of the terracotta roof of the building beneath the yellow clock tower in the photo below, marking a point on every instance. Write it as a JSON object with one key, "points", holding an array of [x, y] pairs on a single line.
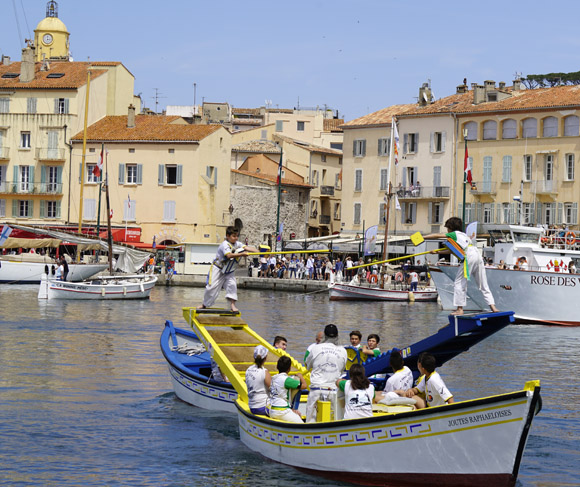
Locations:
{"points": [[75, 76]]}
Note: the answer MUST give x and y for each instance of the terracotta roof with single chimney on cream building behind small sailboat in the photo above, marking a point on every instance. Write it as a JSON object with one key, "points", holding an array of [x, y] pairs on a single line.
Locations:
{"points": [[148, 128]]}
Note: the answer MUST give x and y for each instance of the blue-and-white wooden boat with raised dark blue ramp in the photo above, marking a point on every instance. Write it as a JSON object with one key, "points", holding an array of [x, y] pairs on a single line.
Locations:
{"points": [[192, 381]]}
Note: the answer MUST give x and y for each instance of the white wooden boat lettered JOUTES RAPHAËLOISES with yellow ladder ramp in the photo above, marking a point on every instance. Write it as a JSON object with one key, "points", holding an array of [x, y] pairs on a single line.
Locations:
{"points": [[476, 442]]}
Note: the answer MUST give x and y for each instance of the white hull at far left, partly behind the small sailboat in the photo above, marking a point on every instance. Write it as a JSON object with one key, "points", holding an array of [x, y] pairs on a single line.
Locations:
{"points": [[31, 272]]}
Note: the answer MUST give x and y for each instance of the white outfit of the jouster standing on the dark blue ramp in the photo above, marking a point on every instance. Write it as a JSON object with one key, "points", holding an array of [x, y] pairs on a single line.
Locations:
{"points": [[475, 269]]}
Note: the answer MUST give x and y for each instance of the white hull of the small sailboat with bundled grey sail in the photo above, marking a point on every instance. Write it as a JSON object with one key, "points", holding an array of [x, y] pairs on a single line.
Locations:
{"points": [[122, 288]]}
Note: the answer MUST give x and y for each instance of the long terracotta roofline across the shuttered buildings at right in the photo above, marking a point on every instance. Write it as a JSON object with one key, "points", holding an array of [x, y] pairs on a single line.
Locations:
{"points": [[462, 104]]}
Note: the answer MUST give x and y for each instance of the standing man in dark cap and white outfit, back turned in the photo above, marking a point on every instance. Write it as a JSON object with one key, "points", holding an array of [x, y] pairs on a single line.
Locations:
{"points": [[326, 361]]}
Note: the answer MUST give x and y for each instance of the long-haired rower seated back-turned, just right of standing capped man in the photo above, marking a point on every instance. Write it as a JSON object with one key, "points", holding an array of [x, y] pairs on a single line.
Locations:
{"points": [[359, 394]]}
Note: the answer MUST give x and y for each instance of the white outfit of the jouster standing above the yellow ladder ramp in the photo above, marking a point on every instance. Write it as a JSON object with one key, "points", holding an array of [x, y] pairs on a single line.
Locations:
{"points": [[221, 274]]}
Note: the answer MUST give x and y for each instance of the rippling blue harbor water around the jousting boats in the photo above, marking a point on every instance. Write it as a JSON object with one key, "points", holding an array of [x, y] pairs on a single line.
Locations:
{"points": [[86, 400]]}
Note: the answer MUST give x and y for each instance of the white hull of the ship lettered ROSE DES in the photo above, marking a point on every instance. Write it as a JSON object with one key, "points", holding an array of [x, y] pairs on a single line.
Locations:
{"points": [[534, 296]]}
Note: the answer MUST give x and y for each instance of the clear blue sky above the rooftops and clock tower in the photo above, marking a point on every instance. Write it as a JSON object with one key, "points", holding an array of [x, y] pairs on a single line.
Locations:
{"points": [[352, 56]]}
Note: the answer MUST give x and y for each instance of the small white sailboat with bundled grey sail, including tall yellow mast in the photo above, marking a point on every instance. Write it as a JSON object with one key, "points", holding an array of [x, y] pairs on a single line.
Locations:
{"points": [[123, 286]]}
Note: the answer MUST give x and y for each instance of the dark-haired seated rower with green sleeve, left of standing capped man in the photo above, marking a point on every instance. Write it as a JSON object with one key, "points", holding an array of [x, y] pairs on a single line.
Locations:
{"points": [[281, 392]]}
